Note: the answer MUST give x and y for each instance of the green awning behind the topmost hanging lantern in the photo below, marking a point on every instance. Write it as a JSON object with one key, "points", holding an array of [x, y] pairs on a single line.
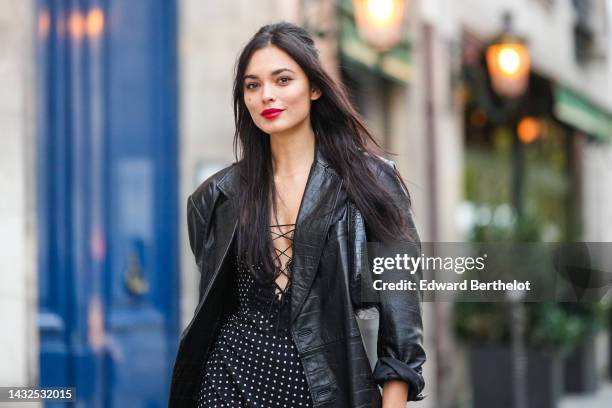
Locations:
{"points": [[394, 64]]}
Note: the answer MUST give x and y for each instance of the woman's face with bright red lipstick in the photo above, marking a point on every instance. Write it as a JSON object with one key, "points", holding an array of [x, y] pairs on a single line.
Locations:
{"points": [[277, 92]]}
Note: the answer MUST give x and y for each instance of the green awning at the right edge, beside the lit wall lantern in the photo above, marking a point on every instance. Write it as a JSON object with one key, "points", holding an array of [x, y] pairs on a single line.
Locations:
{"points": [[575, 110]]}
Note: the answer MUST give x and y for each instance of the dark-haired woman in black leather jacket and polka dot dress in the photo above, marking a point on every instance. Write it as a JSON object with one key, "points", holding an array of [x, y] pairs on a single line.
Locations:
{"points": [[279, 239]]}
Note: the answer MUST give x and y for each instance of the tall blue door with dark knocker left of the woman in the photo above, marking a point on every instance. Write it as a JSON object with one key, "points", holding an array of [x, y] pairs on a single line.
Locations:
{"points": [[107, 199]]}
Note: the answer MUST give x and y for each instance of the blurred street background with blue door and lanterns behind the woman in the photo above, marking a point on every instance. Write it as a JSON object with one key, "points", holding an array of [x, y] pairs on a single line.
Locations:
{"points": [[112, 112]]}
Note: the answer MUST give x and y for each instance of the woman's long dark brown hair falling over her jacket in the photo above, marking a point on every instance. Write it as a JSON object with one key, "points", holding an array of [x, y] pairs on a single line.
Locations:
{"points": [[341, 137]]}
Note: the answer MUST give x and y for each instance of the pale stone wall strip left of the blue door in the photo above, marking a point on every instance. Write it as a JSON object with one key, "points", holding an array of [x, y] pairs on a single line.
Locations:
{"points": [[18, 286]]}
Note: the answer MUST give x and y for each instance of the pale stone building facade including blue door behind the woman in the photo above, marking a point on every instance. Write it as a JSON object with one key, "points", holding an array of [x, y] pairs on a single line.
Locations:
{"points": [[113, 112]]}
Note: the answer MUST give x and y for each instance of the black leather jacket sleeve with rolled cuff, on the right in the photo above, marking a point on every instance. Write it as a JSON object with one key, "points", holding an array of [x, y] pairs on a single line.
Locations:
{"points": [[400, 332]]}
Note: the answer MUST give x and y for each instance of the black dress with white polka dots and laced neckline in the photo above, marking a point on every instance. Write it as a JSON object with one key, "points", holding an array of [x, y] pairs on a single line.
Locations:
{"points": [[254, 362]]}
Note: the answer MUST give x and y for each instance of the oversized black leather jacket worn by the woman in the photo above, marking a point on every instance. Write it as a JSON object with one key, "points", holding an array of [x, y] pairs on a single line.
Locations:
{"points": [[329, 262]]}
